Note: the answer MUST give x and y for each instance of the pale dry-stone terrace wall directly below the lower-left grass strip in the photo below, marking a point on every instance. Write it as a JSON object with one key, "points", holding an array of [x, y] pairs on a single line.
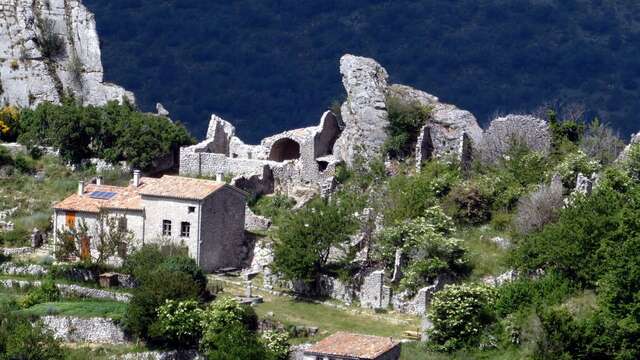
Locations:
{"points": [[80, 330]]}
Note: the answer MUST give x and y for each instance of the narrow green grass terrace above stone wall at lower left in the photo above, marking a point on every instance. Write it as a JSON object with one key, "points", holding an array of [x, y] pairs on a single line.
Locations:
{"points": [[81, 308]]}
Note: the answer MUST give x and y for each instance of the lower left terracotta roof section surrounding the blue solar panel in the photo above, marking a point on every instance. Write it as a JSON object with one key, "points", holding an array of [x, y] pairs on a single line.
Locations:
{"points": [[125, 198]]}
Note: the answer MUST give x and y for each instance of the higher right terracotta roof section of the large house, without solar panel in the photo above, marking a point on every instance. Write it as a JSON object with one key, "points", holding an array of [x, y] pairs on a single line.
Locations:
{"points": [[179, 187]]}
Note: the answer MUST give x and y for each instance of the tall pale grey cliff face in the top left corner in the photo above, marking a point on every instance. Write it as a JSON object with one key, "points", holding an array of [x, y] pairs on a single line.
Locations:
{"points": [[49, 48]]}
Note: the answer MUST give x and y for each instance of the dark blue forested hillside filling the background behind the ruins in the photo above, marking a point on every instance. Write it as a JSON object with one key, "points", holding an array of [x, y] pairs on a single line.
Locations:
{"points": [[272, 64]]}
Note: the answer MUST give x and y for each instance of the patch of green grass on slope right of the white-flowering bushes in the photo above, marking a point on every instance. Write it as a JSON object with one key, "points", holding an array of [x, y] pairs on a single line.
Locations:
{"points": [[485, 256]]}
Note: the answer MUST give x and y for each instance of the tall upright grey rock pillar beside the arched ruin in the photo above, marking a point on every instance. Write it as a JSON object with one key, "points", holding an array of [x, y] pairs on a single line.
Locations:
{"points": [[364, 113]]}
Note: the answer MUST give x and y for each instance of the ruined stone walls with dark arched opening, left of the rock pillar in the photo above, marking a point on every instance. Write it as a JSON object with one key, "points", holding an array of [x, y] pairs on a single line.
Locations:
{"points": [[299, 163]]}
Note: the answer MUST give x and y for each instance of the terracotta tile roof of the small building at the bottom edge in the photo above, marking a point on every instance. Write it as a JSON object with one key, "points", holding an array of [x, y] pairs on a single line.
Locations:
{"points": [[353, 346]]}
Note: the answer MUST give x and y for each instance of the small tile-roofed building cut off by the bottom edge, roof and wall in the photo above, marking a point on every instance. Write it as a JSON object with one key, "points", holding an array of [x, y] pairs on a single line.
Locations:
{"points": [[347, 346]]}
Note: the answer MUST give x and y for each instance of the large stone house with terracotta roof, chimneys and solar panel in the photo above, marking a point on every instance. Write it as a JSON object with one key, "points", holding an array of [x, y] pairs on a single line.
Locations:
{"points": [[206, 217]]}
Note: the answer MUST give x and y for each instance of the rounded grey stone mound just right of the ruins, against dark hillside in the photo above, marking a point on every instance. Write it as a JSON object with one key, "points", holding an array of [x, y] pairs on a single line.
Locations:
{"points": [[506, 131]]}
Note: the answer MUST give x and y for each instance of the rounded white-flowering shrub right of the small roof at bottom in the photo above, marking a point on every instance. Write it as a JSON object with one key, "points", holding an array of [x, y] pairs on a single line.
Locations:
{"points": [[458, 313]]}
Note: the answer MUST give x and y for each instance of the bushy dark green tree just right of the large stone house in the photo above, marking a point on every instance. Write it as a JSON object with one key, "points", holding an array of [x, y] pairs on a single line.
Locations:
{"points": [[305, 238]]}
